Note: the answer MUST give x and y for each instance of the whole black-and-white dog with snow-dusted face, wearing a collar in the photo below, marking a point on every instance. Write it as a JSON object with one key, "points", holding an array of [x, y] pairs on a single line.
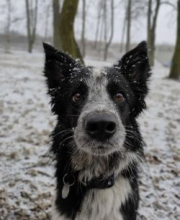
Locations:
{"points": [[96, 143]]}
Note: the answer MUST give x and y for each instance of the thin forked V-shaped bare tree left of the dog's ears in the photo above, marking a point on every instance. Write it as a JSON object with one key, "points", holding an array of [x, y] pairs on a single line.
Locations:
{"points": [[31, 16]]}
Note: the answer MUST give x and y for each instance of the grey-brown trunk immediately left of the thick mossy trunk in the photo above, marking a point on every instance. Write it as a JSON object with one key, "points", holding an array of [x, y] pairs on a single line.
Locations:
{"points": [[56, 20]]}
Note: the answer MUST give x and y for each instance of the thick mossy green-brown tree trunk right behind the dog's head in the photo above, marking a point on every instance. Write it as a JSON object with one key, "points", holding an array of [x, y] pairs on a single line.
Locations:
{"points": [[66, 27]]}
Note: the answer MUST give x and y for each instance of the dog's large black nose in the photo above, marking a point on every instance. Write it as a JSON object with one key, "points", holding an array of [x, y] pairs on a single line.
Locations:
{"points": [[100, 126]]}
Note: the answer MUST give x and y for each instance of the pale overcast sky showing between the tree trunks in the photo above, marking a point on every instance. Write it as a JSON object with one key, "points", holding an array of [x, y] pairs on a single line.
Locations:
{"points": [[166, 26]]}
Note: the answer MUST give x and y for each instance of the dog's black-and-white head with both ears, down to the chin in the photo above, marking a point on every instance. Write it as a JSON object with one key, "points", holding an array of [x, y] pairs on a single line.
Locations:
{"points": [[98, 107]]}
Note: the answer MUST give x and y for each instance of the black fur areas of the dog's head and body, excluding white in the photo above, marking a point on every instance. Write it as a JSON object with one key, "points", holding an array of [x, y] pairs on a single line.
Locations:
{"points": [[65, 77]]}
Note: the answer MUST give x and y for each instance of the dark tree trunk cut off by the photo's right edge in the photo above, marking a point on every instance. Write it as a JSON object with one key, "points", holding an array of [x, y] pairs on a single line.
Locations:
{"points": [[175, 68]]}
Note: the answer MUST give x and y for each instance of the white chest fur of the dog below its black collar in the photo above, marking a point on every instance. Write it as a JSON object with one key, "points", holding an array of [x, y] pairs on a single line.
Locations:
{"points": [[105, 204]]}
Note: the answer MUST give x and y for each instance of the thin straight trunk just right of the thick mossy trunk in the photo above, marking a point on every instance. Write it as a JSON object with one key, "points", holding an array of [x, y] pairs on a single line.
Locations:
{"points": [[83, 28]]}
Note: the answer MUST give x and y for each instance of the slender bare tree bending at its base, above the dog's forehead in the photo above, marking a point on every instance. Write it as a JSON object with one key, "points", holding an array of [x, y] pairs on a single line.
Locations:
{"points": [[107, 43]]}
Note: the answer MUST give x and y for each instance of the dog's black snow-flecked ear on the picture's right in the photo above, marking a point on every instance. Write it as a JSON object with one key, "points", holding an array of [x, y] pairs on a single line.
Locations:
{"points": [[134, 65]]}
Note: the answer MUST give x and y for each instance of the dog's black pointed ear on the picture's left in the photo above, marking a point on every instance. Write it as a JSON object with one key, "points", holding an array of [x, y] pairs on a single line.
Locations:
{"points": [[58, 66]]}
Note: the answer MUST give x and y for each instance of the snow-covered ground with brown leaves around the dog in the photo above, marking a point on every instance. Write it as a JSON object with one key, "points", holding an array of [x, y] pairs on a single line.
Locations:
{"points": [[26, 170]]}
